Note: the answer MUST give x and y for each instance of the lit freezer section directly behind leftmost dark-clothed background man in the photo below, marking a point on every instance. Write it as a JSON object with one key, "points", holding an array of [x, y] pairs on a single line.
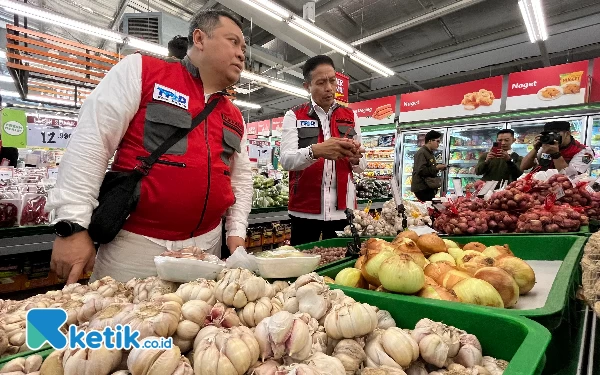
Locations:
{"points": [[410, 143]]}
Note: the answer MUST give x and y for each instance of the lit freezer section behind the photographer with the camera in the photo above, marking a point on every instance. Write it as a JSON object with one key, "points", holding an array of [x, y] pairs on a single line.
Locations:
{"points": [[526, 131]]}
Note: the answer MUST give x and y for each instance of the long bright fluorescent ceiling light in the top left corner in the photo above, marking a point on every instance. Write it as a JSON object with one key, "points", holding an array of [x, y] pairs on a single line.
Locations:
{"points": [[53, 18]]}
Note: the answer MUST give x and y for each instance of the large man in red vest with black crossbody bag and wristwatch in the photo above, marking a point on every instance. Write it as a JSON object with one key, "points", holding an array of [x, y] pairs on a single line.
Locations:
{"points": [[202, 178]]}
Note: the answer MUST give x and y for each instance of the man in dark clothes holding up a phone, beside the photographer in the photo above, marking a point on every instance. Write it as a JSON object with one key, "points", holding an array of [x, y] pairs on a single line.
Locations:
{"points": [[501, 163]]}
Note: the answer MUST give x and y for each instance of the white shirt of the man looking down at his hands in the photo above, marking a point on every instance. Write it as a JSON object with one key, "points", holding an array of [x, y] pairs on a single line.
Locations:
{"points": [[295, 159]]}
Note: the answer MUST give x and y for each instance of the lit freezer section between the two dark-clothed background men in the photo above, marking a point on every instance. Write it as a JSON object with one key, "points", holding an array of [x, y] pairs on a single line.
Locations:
{"points": [[466, 145]]}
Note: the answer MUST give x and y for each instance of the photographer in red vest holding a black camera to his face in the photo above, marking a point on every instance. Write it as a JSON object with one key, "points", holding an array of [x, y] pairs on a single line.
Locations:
{"points": [[556, 148]]}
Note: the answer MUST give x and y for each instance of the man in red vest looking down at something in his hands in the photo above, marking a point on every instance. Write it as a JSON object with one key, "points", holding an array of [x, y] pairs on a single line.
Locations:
{"points": [[321, 147]]}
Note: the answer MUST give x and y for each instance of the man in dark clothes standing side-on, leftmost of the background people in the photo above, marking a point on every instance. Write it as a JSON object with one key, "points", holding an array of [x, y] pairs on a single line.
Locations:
{"points": [[426, 167]]}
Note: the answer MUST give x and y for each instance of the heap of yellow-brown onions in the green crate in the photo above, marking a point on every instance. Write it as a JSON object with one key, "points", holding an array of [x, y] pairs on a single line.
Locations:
{"points": [[430, 267]]}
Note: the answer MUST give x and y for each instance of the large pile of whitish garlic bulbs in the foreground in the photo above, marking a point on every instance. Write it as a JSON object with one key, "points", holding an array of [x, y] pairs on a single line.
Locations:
{"points": [[242, 324]]}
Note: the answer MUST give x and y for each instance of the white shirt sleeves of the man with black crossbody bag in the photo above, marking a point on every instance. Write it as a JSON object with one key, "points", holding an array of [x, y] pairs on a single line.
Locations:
{"points": [[103, 120]]}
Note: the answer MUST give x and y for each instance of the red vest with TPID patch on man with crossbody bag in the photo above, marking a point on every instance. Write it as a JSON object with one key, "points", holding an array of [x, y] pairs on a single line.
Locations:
{"points": [[188, 190]]}
